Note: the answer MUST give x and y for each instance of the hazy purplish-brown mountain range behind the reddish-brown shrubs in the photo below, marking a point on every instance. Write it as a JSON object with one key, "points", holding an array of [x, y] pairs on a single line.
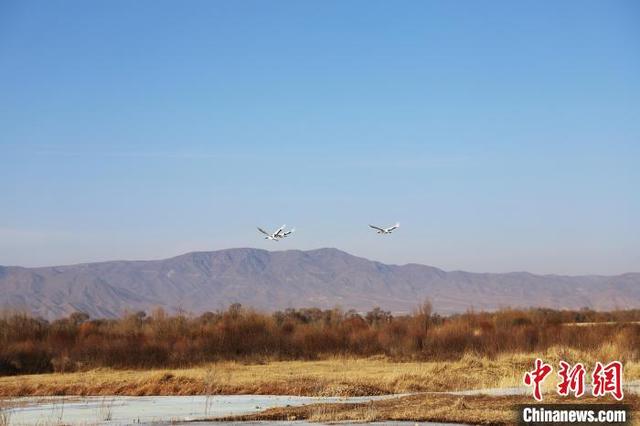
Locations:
{"points": [[325, 278]]}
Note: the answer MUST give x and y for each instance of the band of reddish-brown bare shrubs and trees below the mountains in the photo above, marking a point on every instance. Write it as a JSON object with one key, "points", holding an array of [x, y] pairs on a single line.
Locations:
{"points": [[138, 340]]}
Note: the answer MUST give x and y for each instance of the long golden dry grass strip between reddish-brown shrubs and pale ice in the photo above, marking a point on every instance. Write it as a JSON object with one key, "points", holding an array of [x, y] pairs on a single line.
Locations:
{"points": [[330, 377]]}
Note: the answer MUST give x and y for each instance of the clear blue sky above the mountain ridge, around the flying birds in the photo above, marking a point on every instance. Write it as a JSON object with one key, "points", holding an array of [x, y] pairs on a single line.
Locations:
{"points": [[502, 135]]}
